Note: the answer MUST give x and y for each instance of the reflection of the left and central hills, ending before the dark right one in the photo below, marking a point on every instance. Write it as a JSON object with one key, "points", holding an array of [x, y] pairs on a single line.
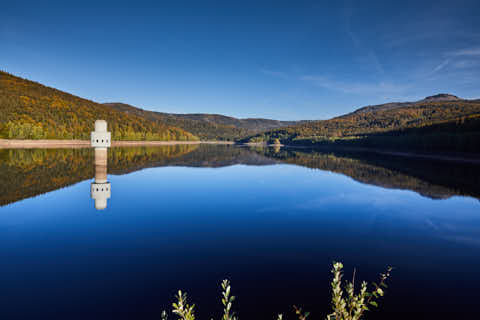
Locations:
{"points": [[25, 173]]}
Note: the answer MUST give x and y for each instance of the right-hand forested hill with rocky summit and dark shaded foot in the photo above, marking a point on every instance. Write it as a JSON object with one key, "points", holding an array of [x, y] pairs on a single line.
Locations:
{"points": [[438, 123]]}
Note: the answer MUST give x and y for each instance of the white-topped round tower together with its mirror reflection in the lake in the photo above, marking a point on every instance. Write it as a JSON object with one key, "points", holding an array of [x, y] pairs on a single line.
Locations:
{"points": [[100, 188]]}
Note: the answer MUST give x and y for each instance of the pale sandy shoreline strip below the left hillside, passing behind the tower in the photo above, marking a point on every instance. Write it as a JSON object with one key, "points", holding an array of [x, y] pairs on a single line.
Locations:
{"points": [[30, 144]]}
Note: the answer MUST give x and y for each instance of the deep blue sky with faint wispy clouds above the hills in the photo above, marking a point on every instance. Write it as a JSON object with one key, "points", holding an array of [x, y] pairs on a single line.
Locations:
{"points": [[274, 59]]}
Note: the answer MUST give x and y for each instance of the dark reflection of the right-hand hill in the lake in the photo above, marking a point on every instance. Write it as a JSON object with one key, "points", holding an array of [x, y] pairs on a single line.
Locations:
{"points": [[430, 178]]}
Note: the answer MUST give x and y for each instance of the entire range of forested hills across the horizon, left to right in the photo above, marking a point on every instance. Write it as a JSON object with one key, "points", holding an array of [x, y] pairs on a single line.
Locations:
{"points": [[441, 122]]}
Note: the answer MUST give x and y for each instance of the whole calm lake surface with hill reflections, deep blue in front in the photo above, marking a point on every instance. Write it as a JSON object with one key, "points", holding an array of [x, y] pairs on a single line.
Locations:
{"points": [[271, 221]]}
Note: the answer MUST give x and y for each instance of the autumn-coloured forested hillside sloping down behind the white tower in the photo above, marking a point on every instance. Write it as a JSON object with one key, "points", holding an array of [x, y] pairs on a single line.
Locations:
{"points": [[29, 110]]}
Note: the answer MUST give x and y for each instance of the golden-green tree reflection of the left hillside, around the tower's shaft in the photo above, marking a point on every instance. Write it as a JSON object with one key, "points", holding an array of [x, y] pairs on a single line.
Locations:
{"points": [[25, 173]]}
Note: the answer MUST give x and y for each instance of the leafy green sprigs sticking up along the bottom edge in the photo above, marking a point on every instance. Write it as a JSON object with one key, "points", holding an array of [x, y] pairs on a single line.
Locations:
{"points": [[345, 303]]}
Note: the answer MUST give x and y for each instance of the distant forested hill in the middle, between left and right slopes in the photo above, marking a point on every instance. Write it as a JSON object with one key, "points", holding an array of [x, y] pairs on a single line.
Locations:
{"points": [[207, 126]]}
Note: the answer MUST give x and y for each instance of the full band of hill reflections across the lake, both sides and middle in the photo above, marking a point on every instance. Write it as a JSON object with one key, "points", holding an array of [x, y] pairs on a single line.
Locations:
{"points": [[25, 173]]}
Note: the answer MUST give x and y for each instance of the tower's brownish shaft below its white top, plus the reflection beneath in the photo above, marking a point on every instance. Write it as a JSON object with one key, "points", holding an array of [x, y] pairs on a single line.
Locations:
{"points": [[101, 188]]}
